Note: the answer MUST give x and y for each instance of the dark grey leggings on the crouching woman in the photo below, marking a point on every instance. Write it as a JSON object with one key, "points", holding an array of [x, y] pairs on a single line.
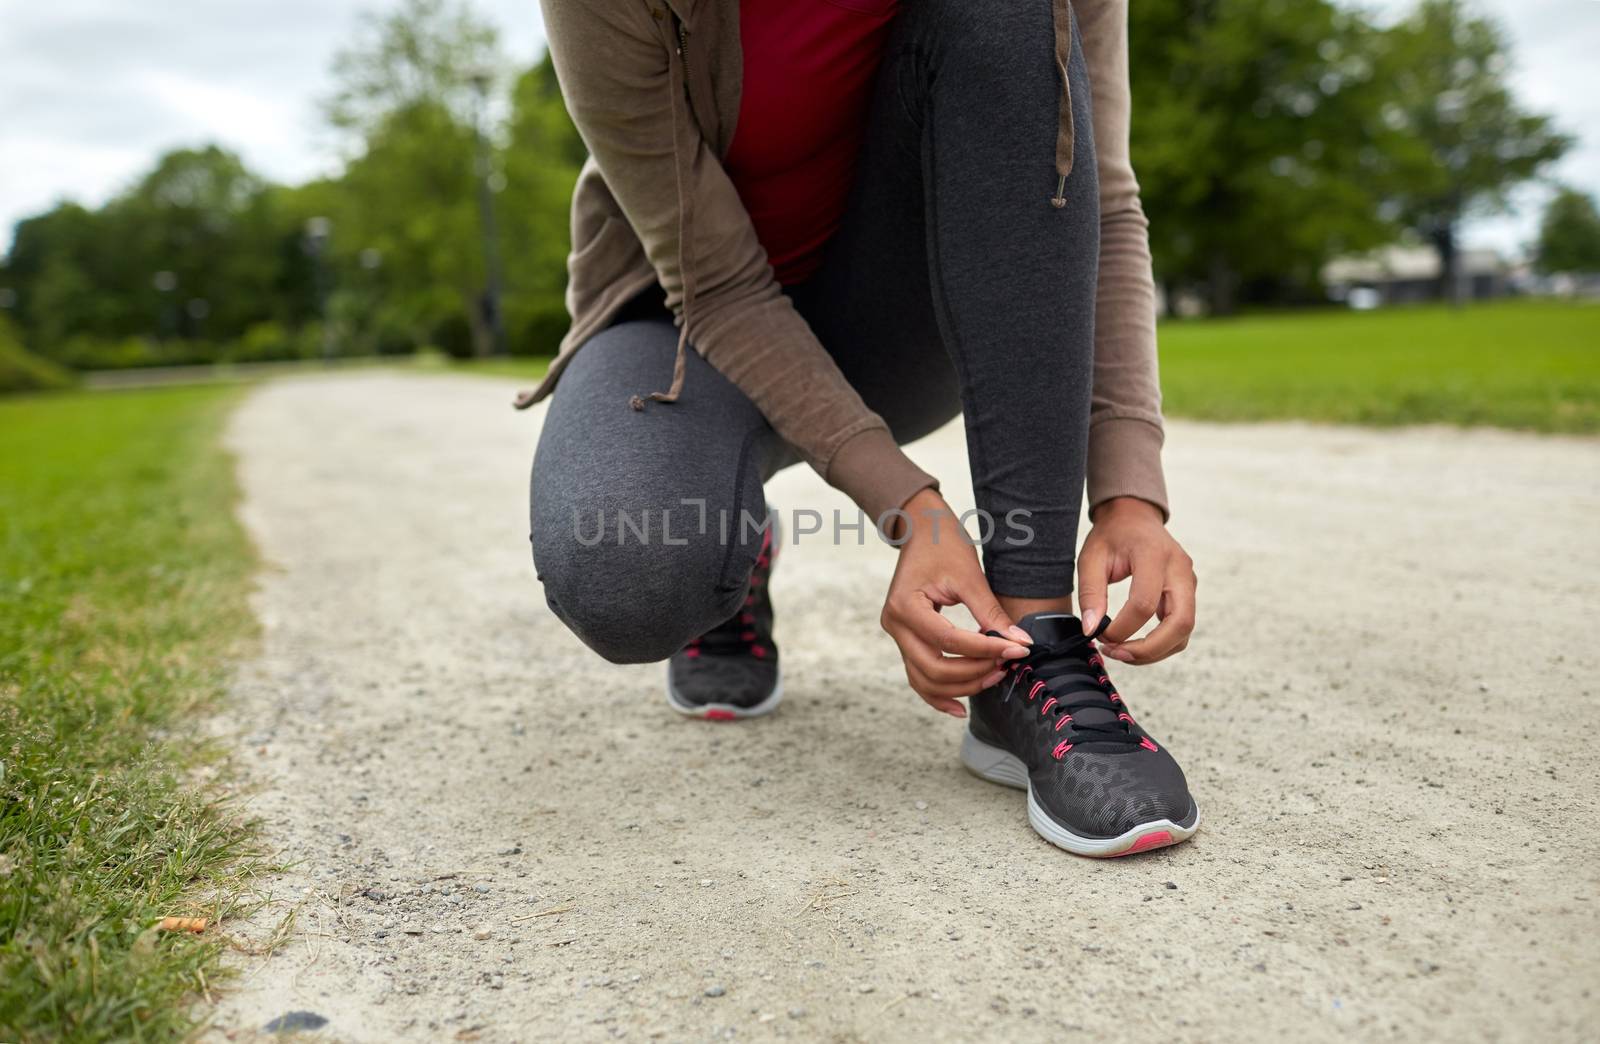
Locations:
{"points": [[951, 287]]}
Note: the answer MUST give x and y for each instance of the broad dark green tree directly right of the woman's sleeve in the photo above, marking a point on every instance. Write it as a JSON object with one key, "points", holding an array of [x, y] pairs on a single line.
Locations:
{"points": [[1257, 139]]}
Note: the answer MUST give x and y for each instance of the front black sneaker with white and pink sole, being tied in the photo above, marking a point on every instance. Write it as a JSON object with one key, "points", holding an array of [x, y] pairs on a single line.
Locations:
{"points": [[1055, 726]]}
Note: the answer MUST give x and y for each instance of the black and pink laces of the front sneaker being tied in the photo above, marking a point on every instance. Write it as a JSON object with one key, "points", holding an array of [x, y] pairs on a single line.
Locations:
{"points": [[1070, 677]]}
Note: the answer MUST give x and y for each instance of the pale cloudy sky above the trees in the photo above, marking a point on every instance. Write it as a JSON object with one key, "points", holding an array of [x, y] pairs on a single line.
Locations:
{"points": [[94, 90]]}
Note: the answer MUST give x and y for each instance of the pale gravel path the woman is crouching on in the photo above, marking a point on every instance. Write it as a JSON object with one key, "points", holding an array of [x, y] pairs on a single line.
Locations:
{"points": [[1388, 718]]}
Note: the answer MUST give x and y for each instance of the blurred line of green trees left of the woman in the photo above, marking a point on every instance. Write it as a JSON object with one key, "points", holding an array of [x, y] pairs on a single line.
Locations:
{"points": [[202, 260]]}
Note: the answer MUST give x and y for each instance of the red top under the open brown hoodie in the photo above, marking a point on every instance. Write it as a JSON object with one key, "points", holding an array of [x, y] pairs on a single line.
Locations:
{"points": [[809, 71]]}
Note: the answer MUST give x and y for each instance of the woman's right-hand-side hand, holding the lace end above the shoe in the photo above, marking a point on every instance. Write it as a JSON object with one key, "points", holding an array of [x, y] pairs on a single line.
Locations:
{"points": [[1130, 540]]}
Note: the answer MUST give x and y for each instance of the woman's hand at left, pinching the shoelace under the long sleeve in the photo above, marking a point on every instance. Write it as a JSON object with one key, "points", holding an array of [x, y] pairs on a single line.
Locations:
{"points": [[940, 568]]}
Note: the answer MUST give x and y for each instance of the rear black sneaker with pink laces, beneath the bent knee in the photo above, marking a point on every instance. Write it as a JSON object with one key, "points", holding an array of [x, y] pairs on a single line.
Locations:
{"points": [[732, 670]]}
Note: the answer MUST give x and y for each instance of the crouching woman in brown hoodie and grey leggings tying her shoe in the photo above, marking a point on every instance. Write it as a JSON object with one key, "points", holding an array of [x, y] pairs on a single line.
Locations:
{"points": [[818, 230]]}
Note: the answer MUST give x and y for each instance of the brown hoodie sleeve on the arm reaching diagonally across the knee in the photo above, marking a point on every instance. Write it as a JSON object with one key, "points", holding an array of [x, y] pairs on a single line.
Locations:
{"points": [[623, 79]]}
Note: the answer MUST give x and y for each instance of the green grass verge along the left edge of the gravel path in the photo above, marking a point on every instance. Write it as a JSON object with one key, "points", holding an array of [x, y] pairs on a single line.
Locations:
{"points": [[124, 584]]}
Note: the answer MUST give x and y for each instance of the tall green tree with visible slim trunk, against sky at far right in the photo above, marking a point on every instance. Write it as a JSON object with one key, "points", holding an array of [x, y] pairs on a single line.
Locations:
{"points": [[1463, 142]]}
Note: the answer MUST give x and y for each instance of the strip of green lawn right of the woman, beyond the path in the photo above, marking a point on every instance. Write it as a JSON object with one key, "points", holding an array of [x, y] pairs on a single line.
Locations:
{"points": [[1510, 364]]}
